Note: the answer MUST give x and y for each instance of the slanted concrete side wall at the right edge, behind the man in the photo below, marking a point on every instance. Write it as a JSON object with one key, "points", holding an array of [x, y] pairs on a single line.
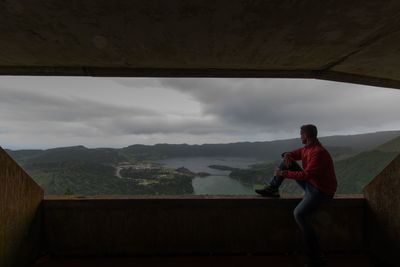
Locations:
{"points": [[383, 213]]}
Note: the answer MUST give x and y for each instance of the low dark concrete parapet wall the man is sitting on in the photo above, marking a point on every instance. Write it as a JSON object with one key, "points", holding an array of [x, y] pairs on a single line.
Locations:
{"points": [[192, 224]]}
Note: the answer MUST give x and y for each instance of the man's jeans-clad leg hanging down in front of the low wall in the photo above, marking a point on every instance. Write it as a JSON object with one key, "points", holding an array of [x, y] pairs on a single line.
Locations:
{"points": [[313, 198]]}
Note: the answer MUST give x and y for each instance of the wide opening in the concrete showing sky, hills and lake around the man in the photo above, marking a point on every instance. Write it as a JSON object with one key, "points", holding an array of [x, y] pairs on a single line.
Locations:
{"points": [[189, 136]]}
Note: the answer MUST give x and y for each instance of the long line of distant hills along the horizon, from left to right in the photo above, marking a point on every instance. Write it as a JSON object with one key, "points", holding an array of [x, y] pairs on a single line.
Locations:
{"points": [[268, 150]]}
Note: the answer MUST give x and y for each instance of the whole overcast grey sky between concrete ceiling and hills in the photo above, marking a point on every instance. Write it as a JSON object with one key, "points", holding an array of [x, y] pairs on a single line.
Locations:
{"points": [[44, 112]]}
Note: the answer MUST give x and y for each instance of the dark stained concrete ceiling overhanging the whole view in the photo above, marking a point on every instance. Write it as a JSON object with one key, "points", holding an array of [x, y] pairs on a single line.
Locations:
{"points": [[354, 41]]}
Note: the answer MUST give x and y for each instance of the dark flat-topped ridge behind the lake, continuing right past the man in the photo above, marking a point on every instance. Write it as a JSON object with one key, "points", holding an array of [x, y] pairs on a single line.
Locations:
{"points": [[338, 144]]}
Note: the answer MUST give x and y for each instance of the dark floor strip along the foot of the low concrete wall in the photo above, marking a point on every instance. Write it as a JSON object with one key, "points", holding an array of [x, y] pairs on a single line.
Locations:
{"points": [[334, 260]]}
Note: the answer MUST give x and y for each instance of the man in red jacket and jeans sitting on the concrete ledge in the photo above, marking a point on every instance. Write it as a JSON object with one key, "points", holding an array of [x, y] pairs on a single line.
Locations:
{"points": [[318, 180]]}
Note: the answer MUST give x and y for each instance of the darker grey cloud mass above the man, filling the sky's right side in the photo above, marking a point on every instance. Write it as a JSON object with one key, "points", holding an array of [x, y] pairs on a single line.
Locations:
{"points": [[276, 104]]}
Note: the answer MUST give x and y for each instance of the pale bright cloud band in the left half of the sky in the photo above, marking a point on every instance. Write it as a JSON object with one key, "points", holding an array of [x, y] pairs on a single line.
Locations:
{"points": [[35, 113]]}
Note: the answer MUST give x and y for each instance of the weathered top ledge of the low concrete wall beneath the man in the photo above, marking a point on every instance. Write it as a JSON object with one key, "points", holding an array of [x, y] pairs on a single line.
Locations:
{"points": [[120, 201]]}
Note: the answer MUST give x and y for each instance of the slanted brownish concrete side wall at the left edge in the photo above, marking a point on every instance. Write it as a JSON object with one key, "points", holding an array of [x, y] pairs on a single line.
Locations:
{"points": [[20, 198]]}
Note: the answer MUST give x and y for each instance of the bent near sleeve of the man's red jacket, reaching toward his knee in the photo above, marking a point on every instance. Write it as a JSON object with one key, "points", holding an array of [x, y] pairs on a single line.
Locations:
{"points": [[313, 169]]}
